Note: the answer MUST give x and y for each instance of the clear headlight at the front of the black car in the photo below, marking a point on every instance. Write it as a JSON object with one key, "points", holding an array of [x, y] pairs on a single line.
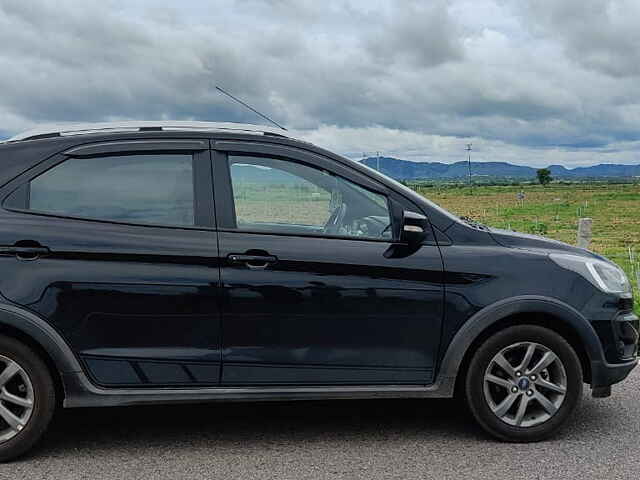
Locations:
{"points": [[605, 276]]}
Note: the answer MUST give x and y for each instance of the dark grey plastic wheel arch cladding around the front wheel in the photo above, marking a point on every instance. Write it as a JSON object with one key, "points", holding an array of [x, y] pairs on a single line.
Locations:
{"points": [[532, 310]]}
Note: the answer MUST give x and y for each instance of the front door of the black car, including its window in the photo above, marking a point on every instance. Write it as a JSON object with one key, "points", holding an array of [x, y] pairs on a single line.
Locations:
{"points": [[309, 296]]}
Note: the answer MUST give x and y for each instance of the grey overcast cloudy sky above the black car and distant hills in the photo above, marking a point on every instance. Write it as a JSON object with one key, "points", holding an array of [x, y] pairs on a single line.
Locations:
{"points": [[530, 82]]}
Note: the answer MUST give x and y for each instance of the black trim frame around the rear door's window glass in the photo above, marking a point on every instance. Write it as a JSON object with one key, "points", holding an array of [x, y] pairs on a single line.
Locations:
{"points": [[202, 182]]}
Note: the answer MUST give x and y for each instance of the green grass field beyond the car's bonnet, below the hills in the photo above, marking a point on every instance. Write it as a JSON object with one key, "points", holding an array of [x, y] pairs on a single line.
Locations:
{"points": [[553, 211]]}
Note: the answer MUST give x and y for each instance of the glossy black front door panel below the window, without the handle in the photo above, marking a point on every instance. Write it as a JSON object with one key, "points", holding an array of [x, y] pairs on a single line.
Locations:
{"points": [[329, 311]]}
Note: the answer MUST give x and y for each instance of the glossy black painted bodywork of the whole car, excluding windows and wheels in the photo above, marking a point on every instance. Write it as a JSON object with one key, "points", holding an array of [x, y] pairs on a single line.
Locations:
{"points": [[159, 306]]}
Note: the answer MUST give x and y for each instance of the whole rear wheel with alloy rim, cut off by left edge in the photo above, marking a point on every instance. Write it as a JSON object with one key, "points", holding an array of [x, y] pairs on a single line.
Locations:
{"points": [[27, 398]]}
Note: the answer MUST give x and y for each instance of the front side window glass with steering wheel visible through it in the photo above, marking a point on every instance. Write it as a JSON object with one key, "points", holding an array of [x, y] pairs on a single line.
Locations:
{"points": [[283, 196]]}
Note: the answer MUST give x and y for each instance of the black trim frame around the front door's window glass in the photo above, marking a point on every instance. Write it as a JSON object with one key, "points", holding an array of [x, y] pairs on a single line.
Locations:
{"points": [[224, 192]]}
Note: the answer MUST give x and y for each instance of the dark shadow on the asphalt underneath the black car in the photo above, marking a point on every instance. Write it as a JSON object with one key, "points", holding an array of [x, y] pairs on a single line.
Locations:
{"points": [[220, 427]]}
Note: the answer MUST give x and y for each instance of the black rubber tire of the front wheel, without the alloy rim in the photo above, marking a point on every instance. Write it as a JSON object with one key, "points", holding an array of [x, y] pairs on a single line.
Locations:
{"points": [[480, 362]]}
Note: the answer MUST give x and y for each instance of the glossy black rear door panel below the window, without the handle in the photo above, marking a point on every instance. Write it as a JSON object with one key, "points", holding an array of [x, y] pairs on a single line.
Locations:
{"points": [[137, 304]]}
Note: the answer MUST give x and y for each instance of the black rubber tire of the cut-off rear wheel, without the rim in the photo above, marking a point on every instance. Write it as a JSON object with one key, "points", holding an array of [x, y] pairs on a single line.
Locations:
{"points": [[44, 398]]}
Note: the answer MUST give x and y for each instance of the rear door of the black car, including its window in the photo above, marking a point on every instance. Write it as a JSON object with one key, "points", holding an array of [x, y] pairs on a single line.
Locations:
{"points": [[113, 243]]}
